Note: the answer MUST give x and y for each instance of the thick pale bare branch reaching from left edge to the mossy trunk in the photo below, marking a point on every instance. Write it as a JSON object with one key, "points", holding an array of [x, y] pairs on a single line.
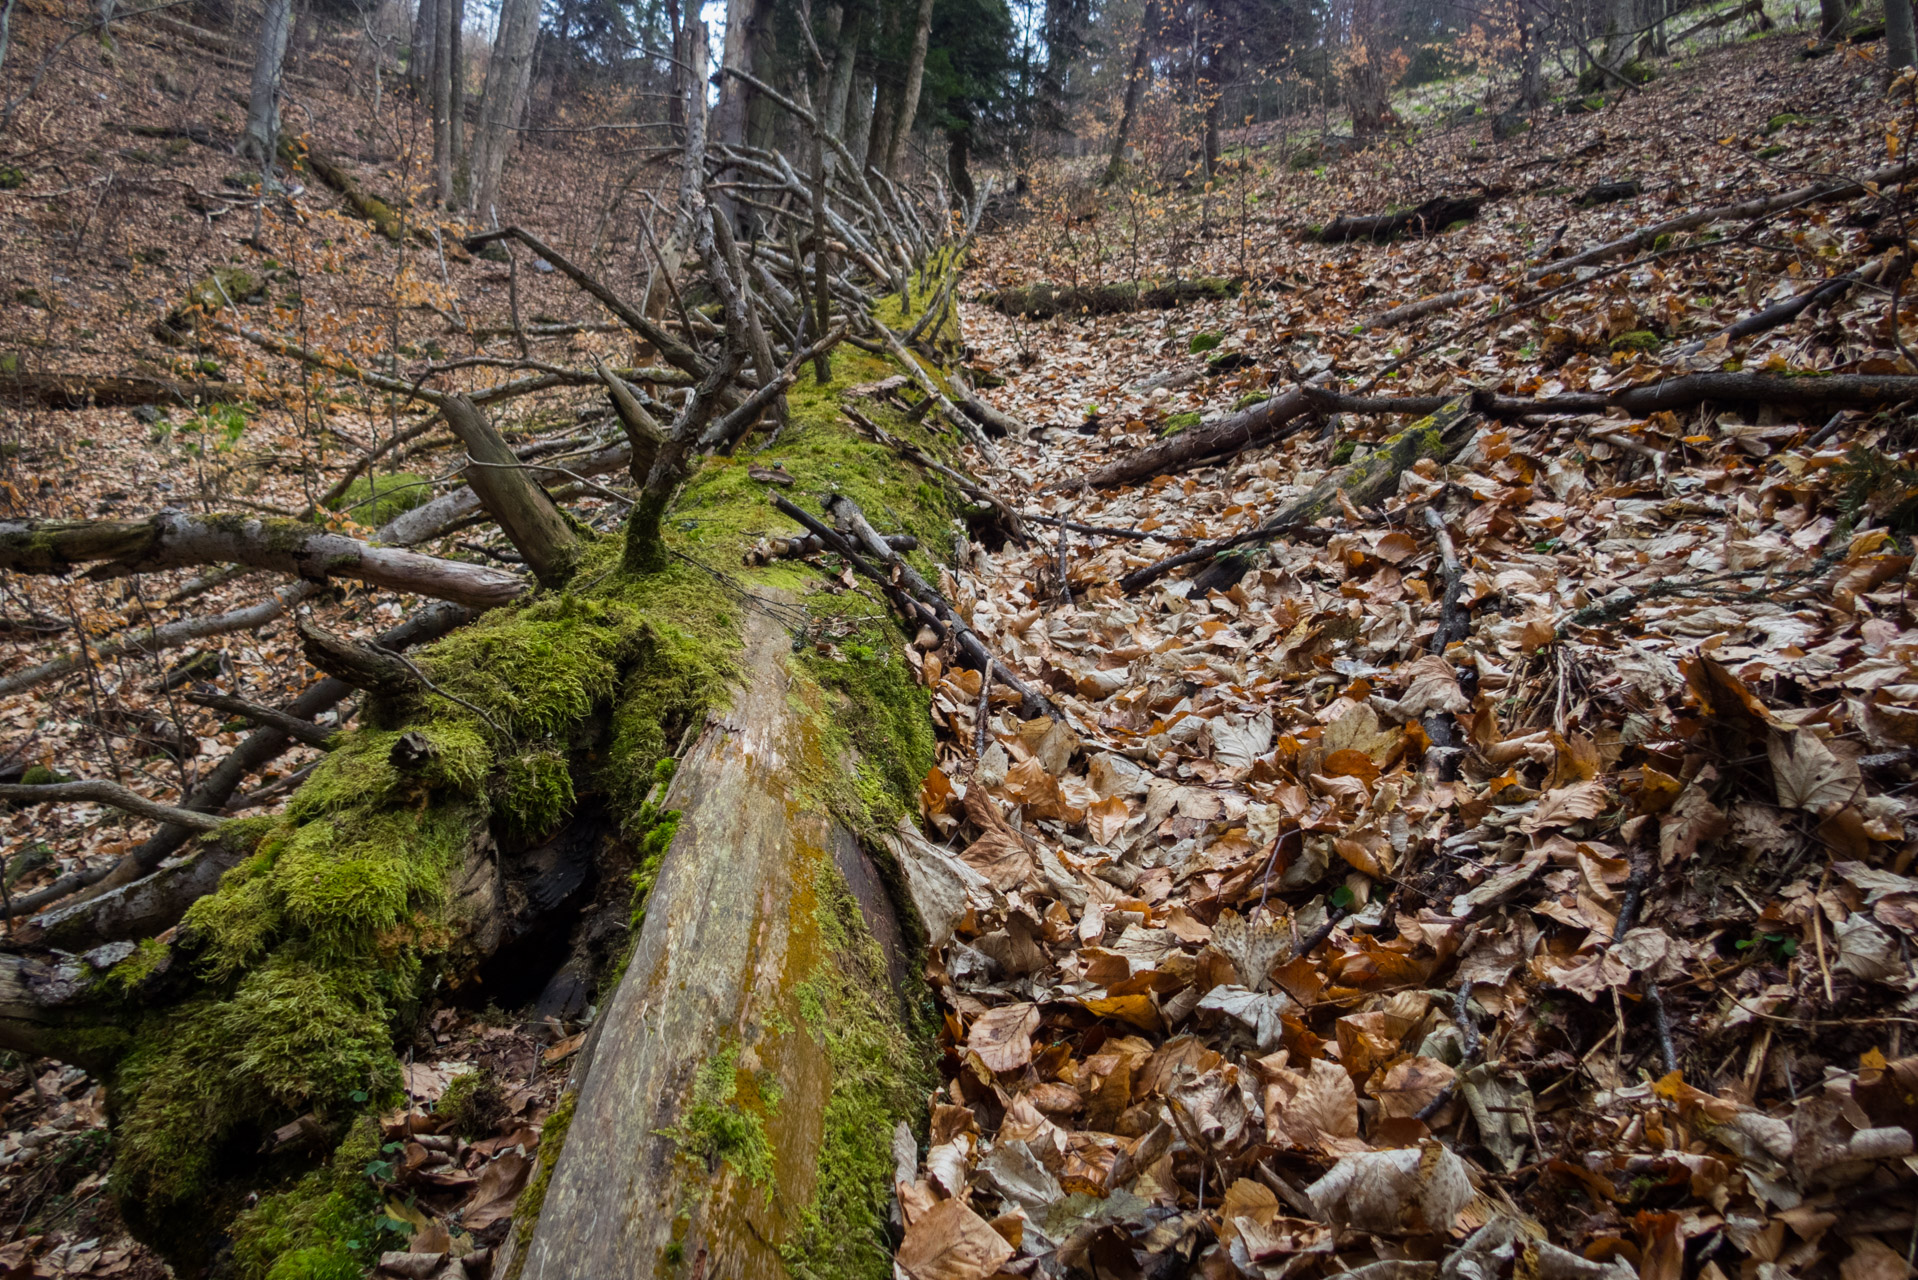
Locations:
{"points": [[174, 540]]}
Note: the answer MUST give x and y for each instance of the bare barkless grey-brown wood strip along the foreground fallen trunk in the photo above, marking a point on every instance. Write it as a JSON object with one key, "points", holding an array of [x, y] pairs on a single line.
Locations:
{"points": [[714, 974]]}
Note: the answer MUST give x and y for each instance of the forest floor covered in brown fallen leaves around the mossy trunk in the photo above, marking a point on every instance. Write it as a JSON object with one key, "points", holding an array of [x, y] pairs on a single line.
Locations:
{"points": [[1633, 976]]}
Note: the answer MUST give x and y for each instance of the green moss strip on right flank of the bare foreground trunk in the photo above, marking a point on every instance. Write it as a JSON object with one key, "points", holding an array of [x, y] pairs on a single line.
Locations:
{"points": [[881, 1072]]}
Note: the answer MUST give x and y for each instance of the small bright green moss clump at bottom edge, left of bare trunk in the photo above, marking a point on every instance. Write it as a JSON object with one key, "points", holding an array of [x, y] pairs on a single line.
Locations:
{"points": [[325, 1227]]}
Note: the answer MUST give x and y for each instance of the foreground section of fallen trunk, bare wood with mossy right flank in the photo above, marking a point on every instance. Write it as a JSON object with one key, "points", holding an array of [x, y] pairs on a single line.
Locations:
{"points": [[724, 974]]}
